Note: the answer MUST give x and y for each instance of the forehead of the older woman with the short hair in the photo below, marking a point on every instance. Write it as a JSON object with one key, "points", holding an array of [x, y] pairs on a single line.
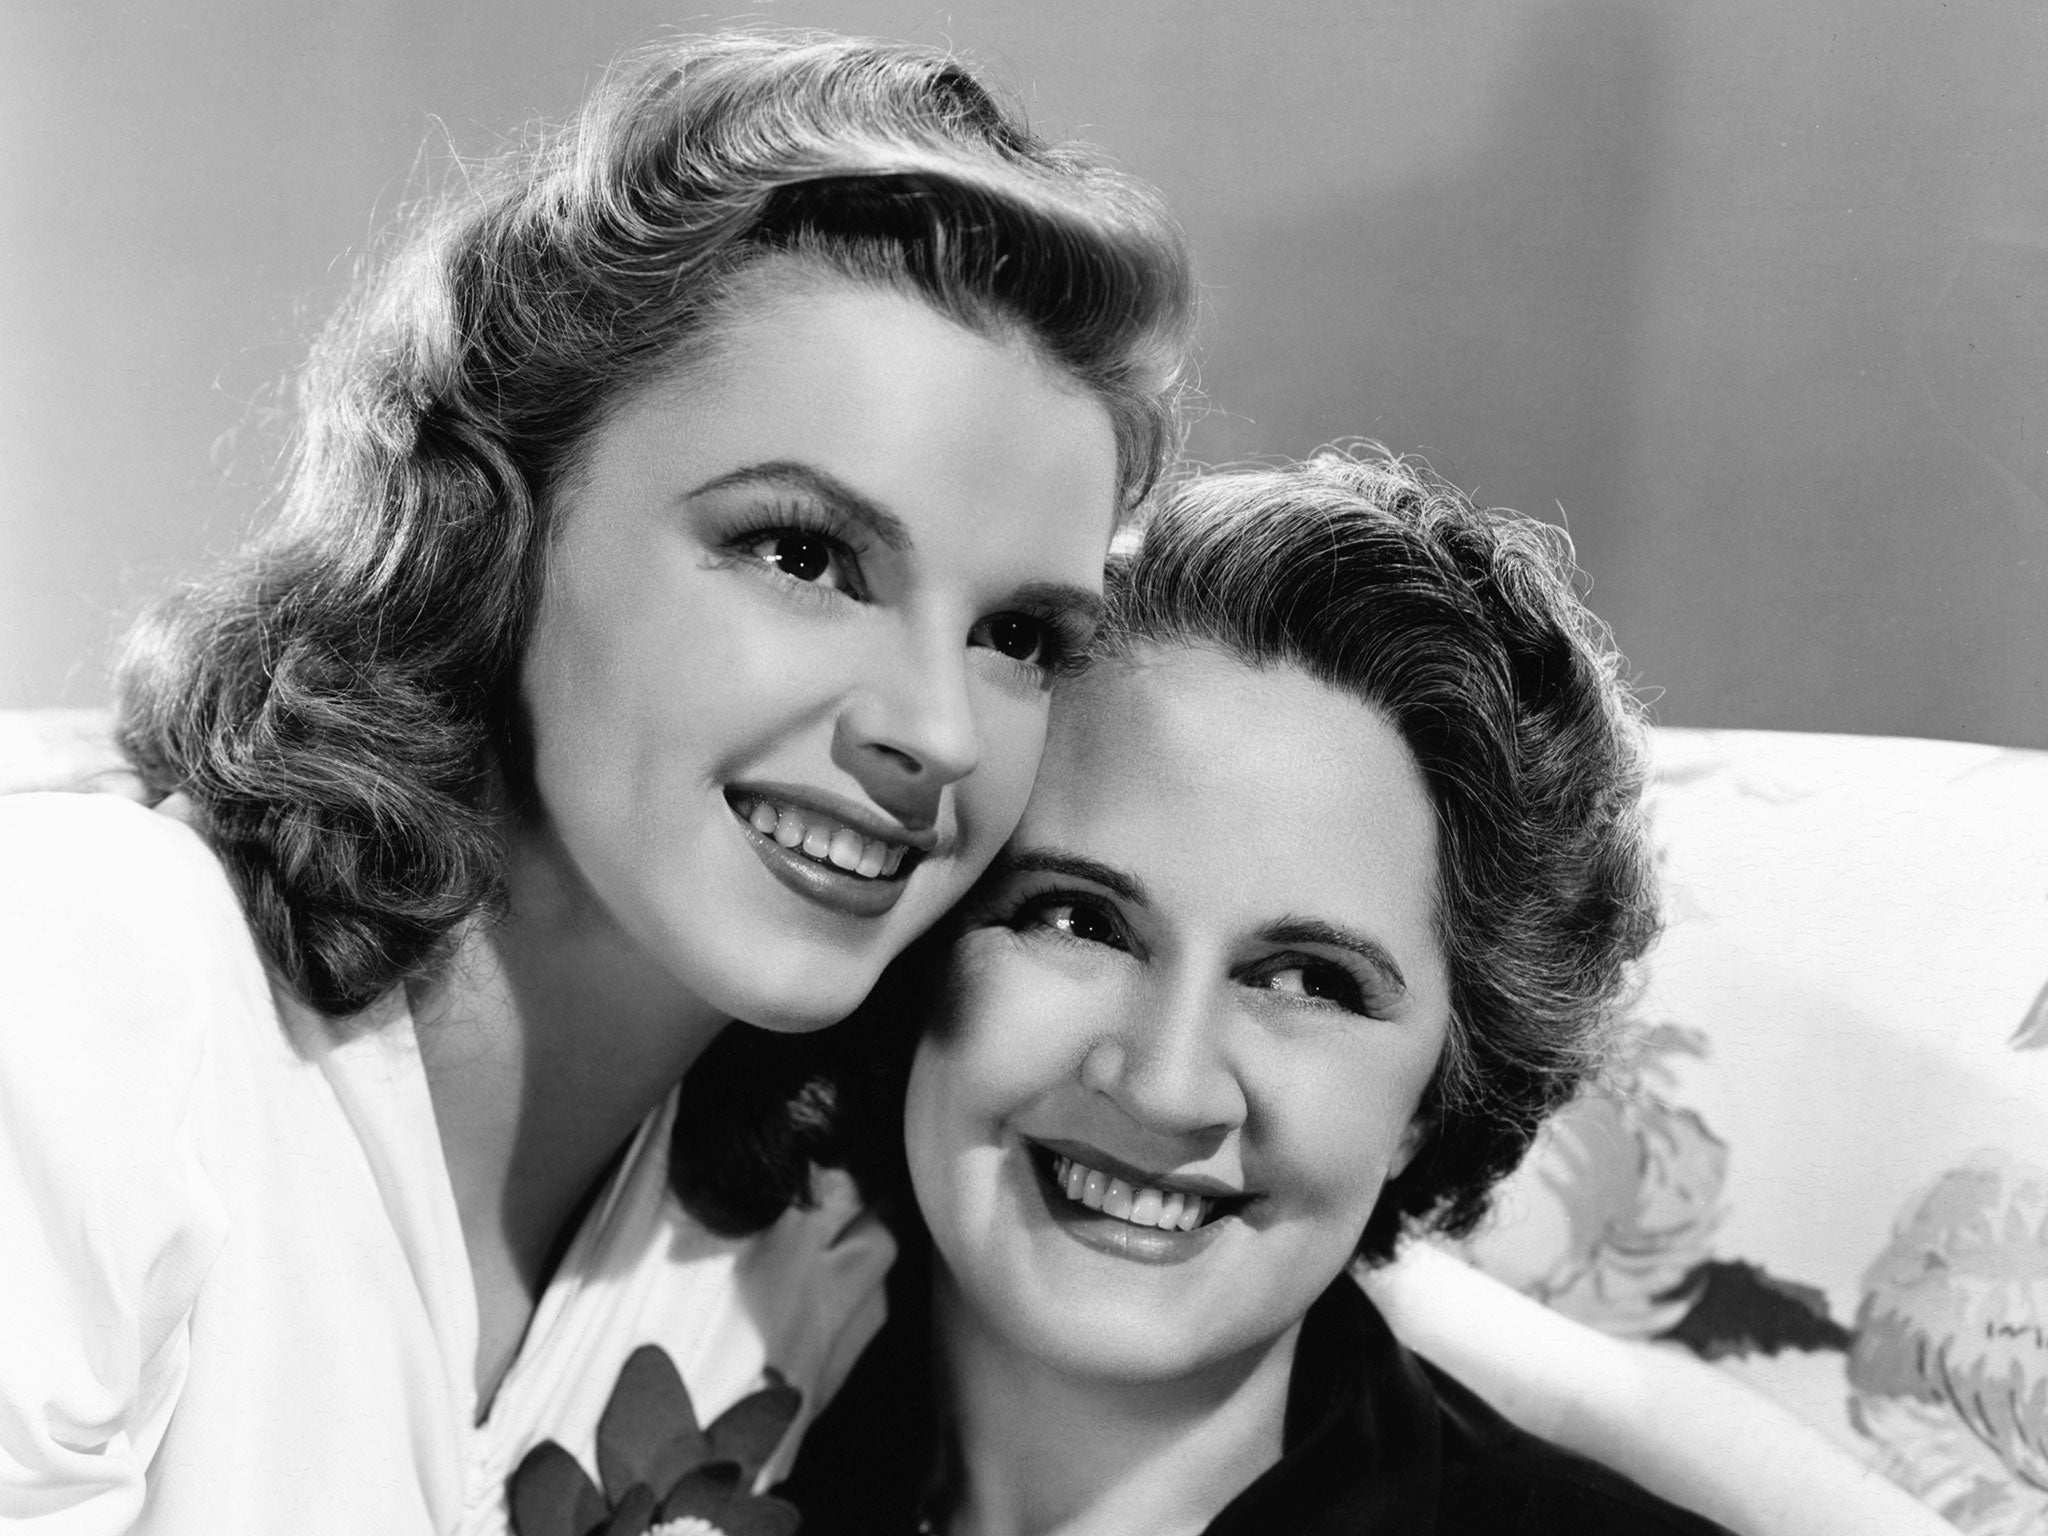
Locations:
{"points": [[1242, 790]]}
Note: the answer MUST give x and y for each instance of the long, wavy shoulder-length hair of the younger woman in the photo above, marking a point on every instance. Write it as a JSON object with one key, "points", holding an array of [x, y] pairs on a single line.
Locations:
{"points": [[339, 703]]}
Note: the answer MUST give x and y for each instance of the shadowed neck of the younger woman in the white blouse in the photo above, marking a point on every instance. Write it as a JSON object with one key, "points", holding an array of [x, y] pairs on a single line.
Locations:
{"points": [[546, 1041]]}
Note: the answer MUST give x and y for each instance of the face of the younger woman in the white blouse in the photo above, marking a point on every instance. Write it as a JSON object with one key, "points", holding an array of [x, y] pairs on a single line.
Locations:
{"points": [[790, 679]]}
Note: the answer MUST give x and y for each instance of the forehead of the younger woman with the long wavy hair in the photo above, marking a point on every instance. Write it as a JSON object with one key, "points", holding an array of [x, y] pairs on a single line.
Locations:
{"points": [[976, 439]]}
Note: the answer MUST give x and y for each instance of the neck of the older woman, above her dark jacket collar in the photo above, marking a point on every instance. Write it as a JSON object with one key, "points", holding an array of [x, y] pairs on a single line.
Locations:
{"points": [[1043, 1453]]}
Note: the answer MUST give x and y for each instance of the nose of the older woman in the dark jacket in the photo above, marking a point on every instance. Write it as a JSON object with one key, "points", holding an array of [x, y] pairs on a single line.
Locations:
{"points": [[1168, 1064]]}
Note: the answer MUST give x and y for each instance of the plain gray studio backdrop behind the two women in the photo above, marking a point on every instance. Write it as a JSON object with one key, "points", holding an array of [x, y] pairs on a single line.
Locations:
{"points": [[1754, 296]]}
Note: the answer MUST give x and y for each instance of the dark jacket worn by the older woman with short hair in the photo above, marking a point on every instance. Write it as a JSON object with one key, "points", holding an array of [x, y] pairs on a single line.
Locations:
{"points": [[1377, 1441]]}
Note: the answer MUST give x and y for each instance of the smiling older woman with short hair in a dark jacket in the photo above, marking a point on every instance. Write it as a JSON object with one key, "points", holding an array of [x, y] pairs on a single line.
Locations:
{"points": [[1326, 896]]}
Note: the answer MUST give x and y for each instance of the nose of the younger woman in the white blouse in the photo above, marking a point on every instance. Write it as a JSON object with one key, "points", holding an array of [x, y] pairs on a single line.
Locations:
{"points": [[910, 728]]}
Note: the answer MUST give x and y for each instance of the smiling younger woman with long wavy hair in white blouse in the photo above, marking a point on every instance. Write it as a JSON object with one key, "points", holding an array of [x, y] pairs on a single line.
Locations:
{"points": [[658, 628]]}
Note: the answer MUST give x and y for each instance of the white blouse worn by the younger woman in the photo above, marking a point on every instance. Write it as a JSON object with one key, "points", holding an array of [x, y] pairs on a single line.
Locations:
{"points": [[234, 1295]]}
